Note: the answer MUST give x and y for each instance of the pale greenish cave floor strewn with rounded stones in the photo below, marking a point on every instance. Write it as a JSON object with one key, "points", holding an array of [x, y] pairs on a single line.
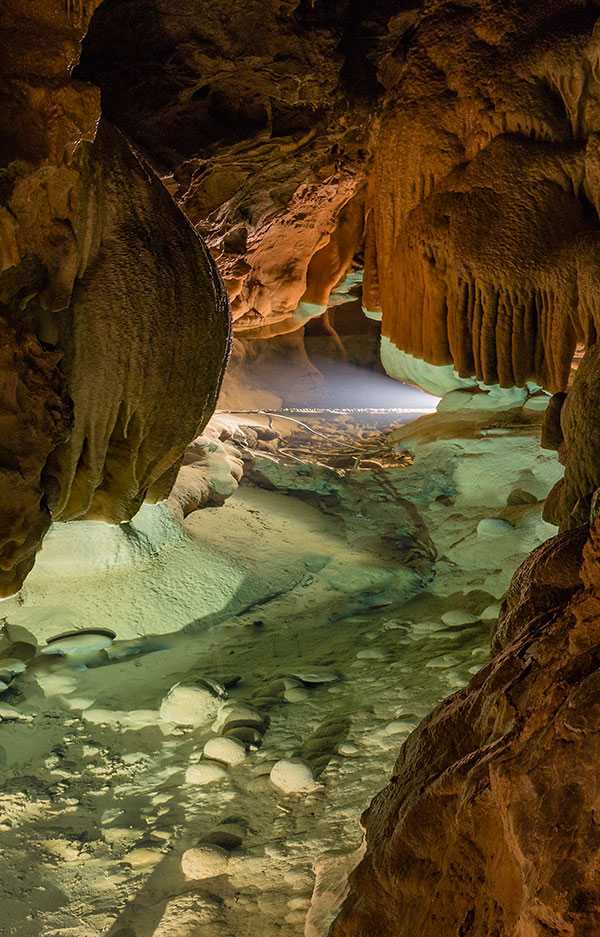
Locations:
{"points": [[301, 609]]}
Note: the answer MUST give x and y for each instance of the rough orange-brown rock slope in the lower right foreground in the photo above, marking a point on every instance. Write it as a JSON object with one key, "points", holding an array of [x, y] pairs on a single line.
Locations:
{"points": [[488, 825]]}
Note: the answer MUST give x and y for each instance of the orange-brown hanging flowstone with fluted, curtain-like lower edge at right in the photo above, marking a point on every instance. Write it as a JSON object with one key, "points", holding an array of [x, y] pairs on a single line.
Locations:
{"points": [[484, 230]]}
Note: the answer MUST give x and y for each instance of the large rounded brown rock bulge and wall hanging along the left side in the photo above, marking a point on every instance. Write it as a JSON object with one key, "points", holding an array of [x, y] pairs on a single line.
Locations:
{"points": [[113, 320]]}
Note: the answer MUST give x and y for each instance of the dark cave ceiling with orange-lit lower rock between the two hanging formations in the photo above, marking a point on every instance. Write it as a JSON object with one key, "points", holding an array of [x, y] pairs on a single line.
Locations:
{"points": [[245, 108]]}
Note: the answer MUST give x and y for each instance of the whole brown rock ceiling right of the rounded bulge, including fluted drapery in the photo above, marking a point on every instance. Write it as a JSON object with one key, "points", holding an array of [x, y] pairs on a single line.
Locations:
{"points": [[451, 150]]}
